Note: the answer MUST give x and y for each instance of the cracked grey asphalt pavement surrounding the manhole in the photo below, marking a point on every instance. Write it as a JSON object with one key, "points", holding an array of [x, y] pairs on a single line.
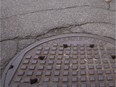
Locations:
{"points": [[24, 22]]}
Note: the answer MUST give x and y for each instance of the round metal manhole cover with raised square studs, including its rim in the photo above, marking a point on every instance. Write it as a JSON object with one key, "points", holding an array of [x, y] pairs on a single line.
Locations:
{"points": [[70, 60]]}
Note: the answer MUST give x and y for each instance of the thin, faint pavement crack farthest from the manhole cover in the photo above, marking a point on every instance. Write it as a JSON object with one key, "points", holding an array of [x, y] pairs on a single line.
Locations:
{"points": [[56, 9]]}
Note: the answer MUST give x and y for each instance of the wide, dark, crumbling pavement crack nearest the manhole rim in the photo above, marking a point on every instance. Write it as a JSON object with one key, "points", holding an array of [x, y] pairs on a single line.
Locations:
{"points": [[53, 29]]}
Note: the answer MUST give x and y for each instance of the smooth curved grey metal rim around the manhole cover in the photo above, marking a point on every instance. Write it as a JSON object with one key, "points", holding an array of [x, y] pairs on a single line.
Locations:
{"points": [[22, 53]]}
